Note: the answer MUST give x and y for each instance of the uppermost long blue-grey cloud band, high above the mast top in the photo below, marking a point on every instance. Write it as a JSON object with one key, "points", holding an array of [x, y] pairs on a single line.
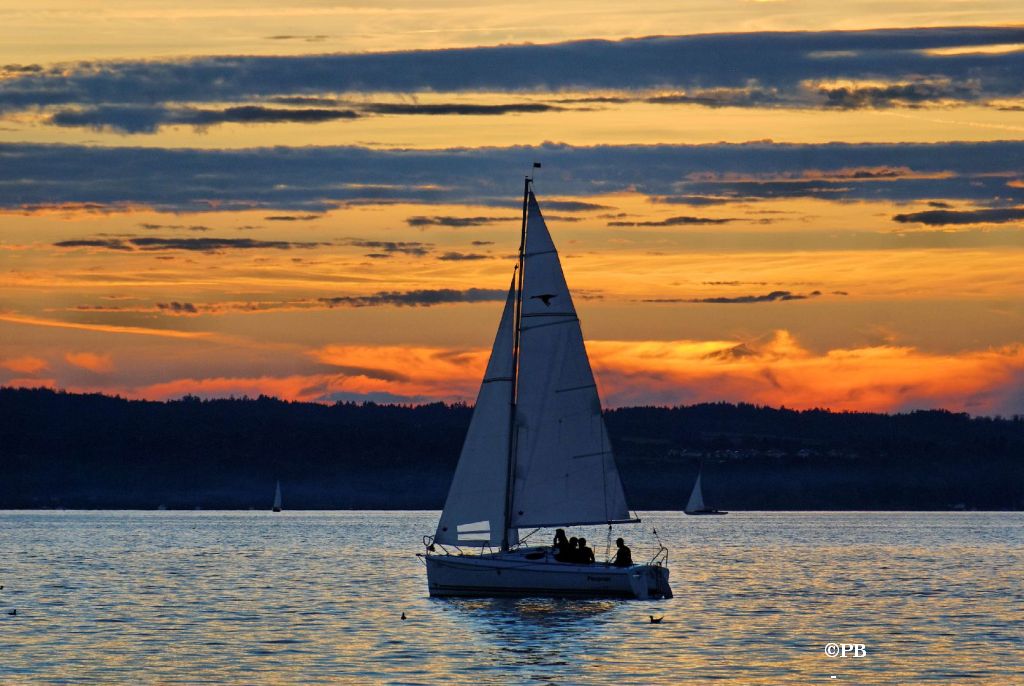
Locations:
{"points": [[745, 70]]}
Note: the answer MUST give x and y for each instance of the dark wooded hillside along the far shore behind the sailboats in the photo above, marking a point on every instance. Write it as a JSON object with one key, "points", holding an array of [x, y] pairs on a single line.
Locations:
{"points": [[74, 451]]}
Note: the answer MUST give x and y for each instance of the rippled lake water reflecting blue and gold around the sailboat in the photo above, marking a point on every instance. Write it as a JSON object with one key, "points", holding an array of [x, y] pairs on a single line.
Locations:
{"points": [[211, 597]]}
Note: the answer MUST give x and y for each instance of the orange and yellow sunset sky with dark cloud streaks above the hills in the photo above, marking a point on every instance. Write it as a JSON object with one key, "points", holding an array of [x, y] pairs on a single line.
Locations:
{"points": [[785, 203]]}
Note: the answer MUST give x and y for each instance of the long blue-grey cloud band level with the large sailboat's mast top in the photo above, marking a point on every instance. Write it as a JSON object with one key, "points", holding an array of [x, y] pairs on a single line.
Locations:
{"points": [[315, 180]]}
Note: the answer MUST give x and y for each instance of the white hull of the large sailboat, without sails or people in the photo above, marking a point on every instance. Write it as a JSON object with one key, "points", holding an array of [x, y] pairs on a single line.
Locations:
{"points": [[516, 574]]}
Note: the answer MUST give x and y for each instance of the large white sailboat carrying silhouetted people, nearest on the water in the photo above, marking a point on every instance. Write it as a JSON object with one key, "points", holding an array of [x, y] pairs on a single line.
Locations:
{"points": [[537, 453]]}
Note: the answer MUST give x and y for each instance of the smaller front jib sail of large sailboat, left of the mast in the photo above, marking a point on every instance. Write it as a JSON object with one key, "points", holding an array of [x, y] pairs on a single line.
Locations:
{"points": [[476, 506]]}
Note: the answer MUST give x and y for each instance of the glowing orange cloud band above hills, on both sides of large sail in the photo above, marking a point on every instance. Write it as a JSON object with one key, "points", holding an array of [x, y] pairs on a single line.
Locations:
{"points": [[781, 372]]}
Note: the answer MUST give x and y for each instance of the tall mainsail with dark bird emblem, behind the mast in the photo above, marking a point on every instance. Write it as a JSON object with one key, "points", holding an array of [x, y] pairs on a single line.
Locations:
{"points": [[565, 470]]}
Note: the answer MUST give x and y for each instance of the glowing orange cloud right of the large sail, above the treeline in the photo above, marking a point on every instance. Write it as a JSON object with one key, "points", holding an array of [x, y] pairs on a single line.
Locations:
{"points": [[782, 373]]}
